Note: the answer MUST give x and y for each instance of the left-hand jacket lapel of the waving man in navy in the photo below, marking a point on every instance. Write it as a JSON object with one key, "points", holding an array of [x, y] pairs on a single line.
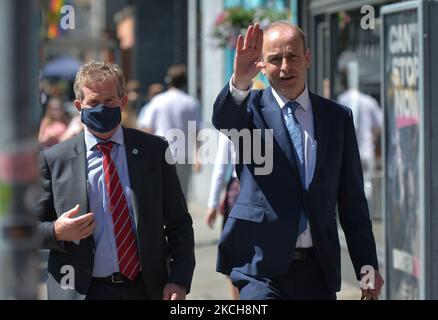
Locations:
{"points": [[272, 114]]}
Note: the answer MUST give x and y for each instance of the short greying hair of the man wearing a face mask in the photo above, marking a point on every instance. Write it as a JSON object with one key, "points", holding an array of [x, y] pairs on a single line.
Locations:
{"points": [[99, 71]]}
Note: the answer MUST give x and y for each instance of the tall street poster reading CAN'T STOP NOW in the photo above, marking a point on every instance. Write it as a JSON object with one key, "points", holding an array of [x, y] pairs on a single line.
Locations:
{"points": [[401, 44]]}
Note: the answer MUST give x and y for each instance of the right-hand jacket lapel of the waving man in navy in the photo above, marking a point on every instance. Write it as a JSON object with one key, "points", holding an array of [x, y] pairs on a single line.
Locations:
{"points": [[320, 129]]}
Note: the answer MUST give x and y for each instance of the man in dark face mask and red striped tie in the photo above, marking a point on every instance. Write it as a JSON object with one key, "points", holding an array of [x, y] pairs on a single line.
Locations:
{"points": [[112, 211]]}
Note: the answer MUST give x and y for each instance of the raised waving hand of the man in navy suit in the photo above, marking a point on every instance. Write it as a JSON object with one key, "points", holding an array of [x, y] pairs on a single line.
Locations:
{"points": [[247, 62]]}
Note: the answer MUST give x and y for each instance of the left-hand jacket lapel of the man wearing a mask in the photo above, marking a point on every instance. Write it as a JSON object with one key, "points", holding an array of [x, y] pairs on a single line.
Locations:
{"points": [[79, 175]]}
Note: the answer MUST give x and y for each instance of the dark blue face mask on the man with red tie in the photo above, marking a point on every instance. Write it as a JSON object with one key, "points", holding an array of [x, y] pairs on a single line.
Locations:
{"points": [[101, 118]]}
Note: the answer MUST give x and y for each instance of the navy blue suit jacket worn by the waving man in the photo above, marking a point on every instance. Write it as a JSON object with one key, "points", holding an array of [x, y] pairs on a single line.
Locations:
{"points": [[261, 232]]}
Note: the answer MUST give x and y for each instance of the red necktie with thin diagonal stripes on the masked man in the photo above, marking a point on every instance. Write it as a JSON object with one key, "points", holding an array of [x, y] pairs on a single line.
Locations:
{"points": [[127, 251]]}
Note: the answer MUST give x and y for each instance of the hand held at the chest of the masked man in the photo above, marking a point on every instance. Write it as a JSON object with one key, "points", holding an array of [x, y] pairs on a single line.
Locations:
{"points": [[68, 228]]}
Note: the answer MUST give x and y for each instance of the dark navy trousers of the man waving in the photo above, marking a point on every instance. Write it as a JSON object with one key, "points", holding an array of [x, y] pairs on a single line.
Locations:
{"points": [[303, 281]]}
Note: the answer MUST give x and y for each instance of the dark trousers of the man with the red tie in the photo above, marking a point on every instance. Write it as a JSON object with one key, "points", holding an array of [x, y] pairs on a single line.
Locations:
{"points": [[105, 289]]}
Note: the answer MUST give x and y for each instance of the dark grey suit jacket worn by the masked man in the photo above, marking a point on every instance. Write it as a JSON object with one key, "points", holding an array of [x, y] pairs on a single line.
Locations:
{"points": [[162, 221]]}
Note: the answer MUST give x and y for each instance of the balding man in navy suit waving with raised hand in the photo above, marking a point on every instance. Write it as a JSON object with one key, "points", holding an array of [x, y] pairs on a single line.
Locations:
{"points": [[281, 239]]}
